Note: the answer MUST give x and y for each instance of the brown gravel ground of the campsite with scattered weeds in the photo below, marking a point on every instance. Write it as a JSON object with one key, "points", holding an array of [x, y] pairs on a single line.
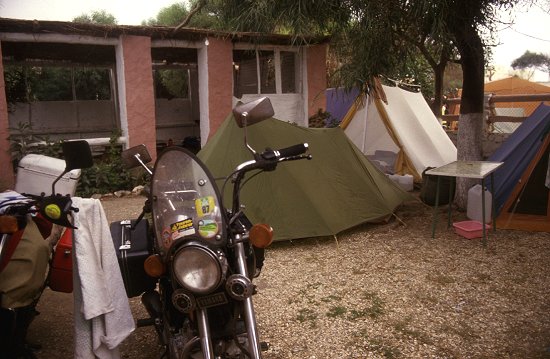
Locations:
{"points": [[377, 291]]}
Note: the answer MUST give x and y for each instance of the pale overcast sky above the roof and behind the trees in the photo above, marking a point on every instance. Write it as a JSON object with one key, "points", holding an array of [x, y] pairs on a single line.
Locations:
{"points": [[530, 31]]}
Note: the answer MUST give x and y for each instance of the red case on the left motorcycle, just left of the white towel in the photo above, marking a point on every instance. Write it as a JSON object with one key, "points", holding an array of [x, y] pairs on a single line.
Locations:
{"points": [[61, 272]]}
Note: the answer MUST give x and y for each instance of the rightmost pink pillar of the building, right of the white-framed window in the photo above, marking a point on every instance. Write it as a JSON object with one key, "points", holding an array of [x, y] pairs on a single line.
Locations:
{"points": [[316, 78]]}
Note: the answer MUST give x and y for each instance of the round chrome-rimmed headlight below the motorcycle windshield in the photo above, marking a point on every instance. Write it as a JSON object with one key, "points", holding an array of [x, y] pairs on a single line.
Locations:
{"points": [[199, 269]]}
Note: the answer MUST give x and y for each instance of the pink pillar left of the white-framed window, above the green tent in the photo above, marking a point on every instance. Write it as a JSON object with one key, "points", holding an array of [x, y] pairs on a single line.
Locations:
{"points": [[220, 81]]}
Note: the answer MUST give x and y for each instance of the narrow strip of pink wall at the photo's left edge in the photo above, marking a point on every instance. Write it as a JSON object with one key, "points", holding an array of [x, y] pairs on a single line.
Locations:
{"points": [[7, 180]]}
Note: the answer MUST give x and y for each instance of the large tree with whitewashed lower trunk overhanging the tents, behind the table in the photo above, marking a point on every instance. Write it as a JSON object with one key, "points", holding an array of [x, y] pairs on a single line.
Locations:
{"points": [[380, 37]]}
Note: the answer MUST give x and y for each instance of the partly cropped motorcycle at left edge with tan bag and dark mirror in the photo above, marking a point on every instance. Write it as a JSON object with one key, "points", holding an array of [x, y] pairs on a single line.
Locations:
{"points": [[27, 243]]}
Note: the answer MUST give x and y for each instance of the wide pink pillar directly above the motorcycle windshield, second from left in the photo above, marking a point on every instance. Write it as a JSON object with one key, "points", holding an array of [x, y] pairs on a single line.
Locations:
{"points": [[140, 99]]}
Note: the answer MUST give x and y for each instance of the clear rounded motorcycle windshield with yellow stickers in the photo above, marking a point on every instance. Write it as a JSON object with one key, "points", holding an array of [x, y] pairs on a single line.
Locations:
{"points": [[185, 201]]}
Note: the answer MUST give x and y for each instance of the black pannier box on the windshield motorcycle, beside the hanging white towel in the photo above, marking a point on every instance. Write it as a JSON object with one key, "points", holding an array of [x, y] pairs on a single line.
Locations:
{"points": [[132, 248]]}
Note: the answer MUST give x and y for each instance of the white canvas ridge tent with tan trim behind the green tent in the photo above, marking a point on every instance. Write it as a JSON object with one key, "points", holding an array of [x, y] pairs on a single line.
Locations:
{"points": [[398, 130]]}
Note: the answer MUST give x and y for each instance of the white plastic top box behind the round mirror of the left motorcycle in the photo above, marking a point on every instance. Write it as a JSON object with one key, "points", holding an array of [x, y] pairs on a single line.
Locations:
{"points": [[36, 173]]}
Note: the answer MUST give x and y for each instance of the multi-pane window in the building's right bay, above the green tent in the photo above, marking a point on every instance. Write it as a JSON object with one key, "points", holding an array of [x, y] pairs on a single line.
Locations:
{"points": [[265, 72]]}
